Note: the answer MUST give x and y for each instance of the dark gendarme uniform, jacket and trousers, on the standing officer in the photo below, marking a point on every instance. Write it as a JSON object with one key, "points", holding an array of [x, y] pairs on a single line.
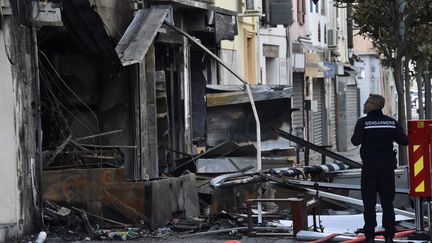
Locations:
{"points": [[376, 133]]}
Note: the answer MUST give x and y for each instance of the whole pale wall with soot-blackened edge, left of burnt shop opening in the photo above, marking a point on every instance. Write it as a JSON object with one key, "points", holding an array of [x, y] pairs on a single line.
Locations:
{"points": [[18, 123]]}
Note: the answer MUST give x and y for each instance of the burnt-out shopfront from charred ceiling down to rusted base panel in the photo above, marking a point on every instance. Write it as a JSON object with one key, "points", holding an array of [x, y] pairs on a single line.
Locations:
{"points": [[122, 99]]}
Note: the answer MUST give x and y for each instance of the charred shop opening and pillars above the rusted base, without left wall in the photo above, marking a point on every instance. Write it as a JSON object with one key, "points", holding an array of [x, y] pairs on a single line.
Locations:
{"points": [[129, 104]]}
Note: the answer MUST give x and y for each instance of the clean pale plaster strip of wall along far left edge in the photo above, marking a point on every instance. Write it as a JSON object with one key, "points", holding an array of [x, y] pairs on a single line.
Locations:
{"points": [[8, 142]]}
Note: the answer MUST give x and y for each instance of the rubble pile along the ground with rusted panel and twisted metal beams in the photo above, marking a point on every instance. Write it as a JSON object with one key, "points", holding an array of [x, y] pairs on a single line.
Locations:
{"points": [[217, 192]]}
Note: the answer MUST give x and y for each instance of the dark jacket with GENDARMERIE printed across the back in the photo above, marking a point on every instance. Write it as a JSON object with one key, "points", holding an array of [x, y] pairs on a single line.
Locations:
{"points": [[376, 133]]}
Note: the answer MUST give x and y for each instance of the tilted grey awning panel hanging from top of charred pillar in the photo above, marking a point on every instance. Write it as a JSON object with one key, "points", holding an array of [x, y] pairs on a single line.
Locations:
{"points": [[140, 34]]}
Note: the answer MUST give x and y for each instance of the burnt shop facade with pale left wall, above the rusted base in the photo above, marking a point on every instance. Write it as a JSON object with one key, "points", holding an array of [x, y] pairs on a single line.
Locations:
{"points": [[100, 84]]}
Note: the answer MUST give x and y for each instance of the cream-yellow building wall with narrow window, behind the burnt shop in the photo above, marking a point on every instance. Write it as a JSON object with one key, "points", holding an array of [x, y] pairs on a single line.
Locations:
{"points": [[245, 42]]}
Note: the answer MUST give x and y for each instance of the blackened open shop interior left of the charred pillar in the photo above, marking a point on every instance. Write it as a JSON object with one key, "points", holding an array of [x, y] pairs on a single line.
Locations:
{"points": [[84, 89]]}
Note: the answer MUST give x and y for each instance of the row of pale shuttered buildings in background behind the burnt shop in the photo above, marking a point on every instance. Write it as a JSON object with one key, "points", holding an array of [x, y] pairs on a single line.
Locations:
{"points": [[310, 53]]}
